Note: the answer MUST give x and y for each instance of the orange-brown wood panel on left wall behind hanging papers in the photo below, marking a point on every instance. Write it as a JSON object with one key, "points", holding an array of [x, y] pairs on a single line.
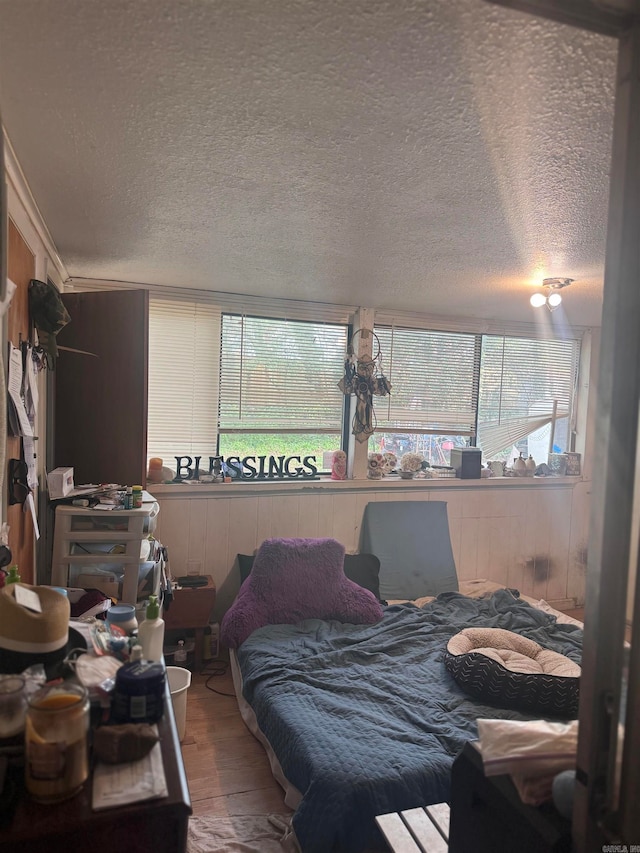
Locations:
{"points": [[21, 269]]}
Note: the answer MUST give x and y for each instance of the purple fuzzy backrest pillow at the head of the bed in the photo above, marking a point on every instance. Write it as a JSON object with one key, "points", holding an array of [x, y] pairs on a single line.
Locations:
{"points": [[296, 579]]}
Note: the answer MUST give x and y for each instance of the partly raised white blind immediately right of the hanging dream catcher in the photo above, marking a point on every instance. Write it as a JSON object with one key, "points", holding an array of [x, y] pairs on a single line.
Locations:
{"points": [[434, 381]]}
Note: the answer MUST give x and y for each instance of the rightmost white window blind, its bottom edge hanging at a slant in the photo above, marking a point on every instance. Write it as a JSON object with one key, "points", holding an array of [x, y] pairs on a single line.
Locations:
{"points": [[520, 380]]}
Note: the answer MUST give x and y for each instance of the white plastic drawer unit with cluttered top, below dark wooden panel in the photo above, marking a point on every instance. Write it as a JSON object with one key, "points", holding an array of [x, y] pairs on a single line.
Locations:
{"points": [[99, 545]]}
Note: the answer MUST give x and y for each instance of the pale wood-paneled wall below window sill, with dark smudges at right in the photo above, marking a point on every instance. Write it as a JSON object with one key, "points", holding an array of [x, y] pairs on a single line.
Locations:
{"points": [[533, 538]]}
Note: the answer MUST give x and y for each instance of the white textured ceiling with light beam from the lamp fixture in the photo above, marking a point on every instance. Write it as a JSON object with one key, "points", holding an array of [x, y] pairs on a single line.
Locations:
{"points": [[429, 155]]}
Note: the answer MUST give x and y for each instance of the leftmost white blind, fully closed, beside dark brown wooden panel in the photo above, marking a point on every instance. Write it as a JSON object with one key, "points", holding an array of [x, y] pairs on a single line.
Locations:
{"points": [[184, 352]]}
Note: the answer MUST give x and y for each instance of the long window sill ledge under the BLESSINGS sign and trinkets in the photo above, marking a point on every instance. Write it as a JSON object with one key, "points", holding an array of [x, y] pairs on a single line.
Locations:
{"points": [[188, 489]]}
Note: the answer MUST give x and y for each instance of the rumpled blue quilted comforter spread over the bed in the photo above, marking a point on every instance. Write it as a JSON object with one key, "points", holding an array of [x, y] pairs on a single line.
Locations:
{"points": [[365, 719]]}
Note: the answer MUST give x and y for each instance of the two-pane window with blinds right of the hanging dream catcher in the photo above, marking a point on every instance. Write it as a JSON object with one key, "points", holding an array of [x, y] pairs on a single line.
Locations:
{"points": [[451, 389]]}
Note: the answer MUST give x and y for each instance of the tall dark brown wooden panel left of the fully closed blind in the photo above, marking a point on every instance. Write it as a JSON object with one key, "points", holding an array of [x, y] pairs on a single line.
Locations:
{"points": [[100, 411]]}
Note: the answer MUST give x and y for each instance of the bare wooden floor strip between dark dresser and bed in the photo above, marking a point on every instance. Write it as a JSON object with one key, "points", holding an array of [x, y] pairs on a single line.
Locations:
{"points": [[227, 769]]}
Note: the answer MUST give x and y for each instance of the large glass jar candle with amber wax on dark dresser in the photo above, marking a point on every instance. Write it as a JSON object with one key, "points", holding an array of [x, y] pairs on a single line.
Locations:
{"points": [[56, 753]]}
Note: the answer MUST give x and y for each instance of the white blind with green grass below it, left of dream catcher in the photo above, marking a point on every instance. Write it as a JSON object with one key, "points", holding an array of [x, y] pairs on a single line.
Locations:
{"points": [[281, 375]]}
